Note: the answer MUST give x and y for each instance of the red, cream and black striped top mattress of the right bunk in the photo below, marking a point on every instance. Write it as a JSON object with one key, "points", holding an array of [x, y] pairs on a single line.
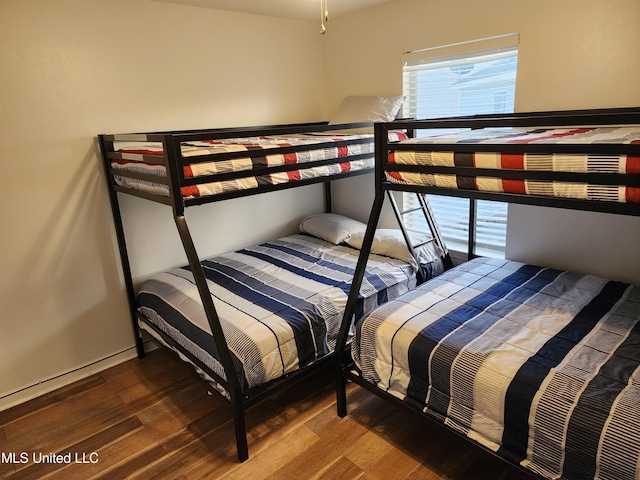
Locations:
{"points": [[621, 164]]}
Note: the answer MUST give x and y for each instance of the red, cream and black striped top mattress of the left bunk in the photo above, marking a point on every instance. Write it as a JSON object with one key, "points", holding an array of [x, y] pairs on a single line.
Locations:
{"points": [[309, 148]]}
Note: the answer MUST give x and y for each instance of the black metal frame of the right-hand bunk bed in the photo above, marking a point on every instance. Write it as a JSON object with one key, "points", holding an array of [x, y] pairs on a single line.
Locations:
{"points": [[592, 117]]}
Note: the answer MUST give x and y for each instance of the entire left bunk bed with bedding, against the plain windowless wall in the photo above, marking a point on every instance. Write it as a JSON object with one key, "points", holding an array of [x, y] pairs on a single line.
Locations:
{"points": [[263, 317]]}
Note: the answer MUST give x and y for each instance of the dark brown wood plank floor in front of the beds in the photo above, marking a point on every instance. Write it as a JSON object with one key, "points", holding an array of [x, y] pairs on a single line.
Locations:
{"points": [[153, 419]]}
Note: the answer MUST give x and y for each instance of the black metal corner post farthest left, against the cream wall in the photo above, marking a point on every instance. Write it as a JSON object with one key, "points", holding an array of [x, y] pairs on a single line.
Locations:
{"points": [[122, 247]]}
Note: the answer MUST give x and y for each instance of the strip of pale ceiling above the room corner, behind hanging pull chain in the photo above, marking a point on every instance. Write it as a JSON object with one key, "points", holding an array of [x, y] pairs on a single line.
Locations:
{"points": [[295, 9]]}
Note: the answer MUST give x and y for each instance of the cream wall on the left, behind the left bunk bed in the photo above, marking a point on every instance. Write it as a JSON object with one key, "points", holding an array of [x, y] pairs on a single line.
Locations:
{"points": [[71, 69]]}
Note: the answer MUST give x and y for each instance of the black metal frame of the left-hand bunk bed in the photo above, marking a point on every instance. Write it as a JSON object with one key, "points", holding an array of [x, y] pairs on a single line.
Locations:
{"points": [[174, 162]]}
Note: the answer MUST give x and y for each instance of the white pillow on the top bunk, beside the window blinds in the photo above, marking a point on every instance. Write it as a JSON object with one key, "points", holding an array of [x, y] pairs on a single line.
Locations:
{"points": [[359, 108]]}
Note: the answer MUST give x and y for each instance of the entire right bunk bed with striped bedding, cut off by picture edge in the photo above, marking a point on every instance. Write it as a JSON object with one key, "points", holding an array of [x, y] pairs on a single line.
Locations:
{"points": [[538, 366]]}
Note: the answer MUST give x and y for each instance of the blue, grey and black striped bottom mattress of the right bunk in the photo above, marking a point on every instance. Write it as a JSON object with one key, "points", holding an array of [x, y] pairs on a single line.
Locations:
{"points": [[539, 365]]}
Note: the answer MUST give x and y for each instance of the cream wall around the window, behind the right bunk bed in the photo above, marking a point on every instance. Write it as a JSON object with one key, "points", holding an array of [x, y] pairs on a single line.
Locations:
{"points": [[572, 54]]}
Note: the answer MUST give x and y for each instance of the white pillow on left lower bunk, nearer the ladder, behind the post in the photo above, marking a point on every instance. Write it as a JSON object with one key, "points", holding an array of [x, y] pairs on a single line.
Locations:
{"points": [[390, 242]]}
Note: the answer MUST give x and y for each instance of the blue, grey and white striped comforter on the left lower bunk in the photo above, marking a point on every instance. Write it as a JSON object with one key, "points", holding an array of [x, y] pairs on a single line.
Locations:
{"points": [[280, 303]]}
